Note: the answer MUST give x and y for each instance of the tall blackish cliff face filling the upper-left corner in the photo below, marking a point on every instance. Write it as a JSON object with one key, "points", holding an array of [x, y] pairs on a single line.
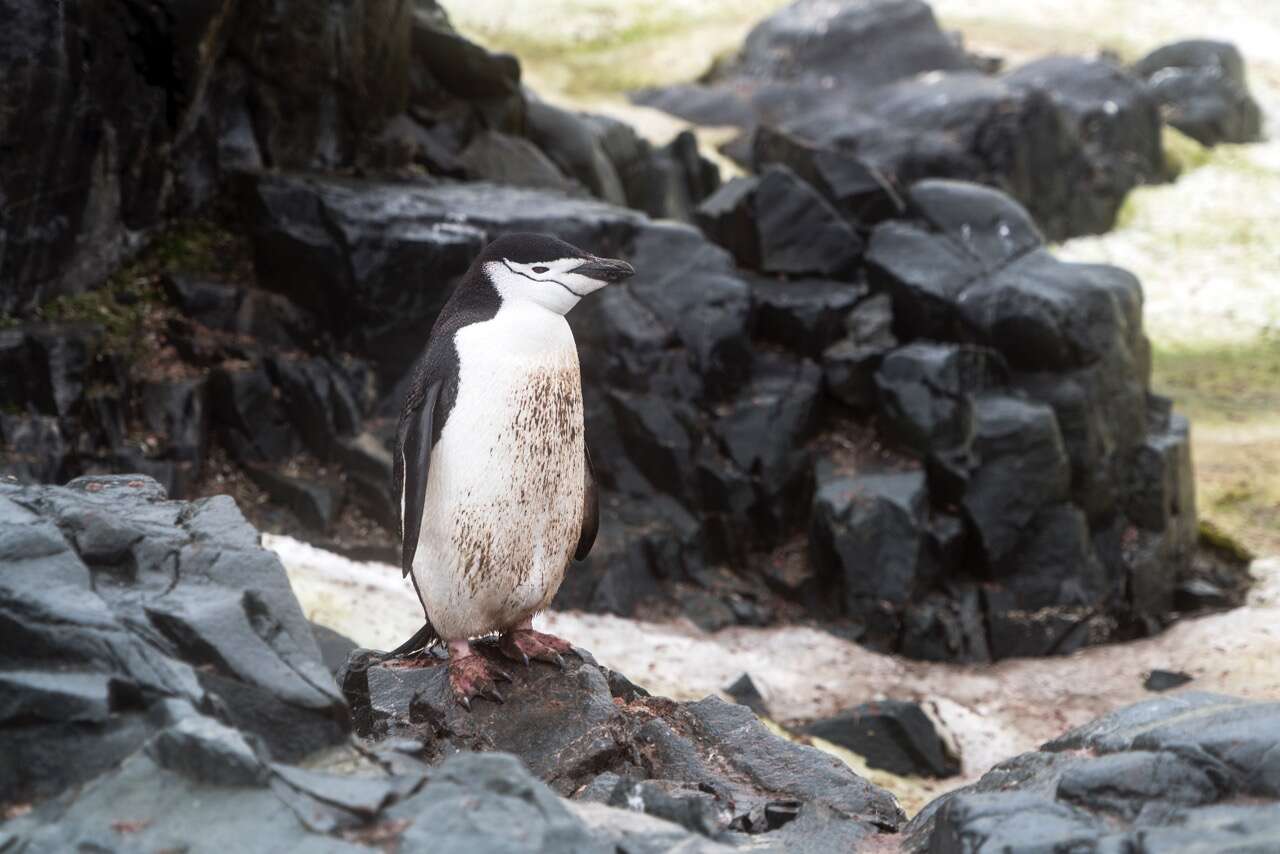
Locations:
{"points": [[144, 112]]}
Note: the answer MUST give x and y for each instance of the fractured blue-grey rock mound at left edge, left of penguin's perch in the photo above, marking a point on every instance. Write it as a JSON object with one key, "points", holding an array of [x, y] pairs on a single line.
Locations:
{"points": [[118, 602]]}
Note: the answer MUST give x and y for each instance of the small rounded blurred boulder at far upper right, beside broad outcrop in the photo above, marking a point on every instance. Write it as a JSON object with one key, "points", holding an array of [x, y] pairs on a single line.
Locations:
{"points": [[1203, 90]]}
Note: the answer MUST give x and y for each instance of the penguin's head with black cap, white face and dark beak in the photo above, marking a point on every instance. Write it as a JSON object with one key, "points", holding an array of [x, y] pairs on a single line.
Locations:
{"points": [[546, 271]]}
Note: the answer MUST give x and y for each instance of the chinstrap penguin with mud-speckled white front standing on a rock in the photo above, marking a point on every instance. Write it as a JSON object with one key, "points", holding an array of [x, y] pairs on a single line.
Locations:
{"points": [[492, 474]]}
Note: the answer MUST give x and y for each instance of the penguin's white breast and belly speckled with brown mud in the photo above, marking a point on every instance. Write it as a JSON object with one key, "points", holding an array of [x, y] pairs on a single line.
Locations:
{"points": [[505, 496]]}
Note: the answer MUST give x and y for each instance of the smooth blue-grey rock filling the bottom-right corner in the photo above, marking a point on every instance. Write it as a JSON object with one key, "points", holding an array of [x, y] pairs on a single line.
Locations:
{"points": [[1192, 773]]}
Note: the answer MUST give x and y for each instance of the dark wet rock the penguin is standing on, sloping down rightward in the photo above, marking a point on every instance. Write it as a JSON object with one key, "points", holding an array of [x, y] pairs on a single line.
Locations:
{"points": [[710, 766]]}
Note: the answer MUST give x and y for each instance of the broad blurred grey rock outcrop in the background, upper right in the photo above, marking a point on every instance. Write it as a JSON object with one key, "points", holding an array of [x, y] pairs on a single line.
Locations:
{"points": [[880, 85]]}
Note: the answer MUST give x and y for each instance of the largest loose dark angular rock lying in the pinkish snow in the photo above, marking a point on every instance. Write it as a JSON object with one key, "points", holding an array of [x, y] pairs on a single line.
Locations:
{"points": [[893, 736]]}
